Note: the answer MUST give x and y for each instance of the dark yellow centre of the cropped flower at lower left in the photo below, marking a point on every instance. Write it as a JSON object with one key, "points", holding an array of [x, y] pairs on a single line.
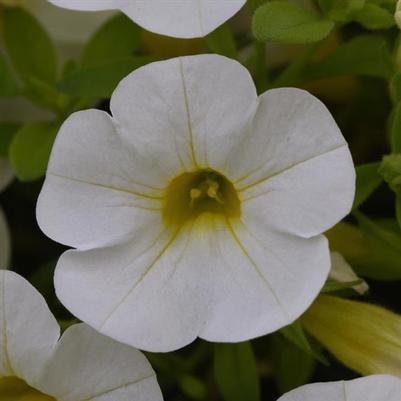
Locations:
{"points": [[14, 389]]}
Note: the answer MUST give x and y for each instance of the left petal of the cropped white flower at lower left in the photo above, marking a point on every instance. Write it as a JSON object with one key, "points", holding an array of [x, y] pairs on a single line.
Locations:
{"points": [[28, 330]]}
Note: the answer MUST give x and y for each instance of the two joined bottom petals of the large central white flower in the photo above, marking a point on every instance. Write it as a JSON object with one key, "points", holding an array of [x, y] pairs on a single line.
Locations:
{"points": [[198, 282]]}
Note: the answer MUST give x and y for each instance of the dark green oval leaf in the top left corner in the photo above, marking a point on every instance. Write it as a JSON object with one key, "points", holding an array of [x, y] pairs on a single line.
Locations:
{"points": [[29, 46]]}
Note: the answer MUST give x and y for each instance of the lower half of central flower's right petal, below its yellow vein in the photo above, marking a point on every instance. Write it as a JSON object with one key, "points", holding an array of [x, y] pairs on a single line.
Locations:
{"points": [[306, 199]]}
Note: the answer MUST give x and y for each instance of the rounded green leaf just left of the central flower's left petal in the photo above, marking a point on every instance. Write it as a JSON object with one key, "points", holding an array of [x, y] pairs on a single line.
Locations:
{"points": [[30, 149]]}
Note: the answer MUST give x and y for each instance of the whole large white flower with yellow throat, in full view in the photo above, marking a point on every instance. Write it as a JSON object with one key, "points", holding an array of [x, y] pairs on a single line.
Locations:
{"points": [[197, 208]]}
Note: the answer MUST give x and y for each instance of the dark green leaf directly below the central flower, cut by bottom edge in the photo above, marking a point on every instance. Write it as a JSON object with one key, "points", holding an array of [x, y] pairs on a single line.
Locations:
{"points": [[235, 372]]}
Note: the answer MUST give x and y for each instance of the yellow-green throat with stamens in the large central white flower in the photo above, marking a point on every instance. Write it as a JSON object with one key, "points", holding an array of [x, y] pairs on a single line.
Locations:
{"points": [[203, 191]]}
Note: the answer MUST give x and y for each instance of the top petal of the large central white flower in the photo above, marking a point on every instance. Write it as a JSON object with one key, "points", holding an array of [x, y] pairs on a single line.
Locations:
{"points": [[186, 112]]}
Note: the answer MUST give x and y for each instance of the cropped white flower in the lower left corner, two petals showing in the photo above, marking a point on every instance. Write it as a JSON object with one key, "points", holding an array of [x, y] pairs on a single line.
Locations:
{"points": [[81, 365]]}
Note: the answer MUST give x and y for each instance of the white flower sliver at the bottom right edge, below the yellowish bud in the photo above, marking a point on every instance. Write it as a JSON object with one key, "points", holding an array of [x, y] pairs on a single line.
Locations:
{"points": [[371, 388]]}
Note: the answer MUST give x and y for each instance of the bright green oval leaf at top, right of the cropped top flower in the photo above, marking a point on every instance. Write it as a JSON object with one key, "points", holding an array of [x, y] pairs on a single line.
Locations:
{"points": [[279, 21]]}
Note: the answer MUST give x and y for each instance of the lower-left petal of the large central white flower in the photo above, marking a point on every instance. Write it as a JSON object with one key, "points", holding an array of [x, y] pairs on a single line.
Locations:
{"points": [[140, 300]]}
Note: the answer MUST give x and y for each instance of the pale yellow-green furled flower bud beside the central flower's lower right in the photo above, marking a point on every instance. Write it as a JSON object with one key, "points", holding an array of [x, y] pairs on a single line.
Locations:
{"points": [[364, 337]]}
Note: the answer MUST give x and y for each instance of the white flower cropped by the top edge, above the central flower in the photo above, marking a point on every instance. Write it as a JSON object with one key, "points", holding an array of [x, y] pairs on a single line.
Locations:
{"points": [[177, 18]]}
